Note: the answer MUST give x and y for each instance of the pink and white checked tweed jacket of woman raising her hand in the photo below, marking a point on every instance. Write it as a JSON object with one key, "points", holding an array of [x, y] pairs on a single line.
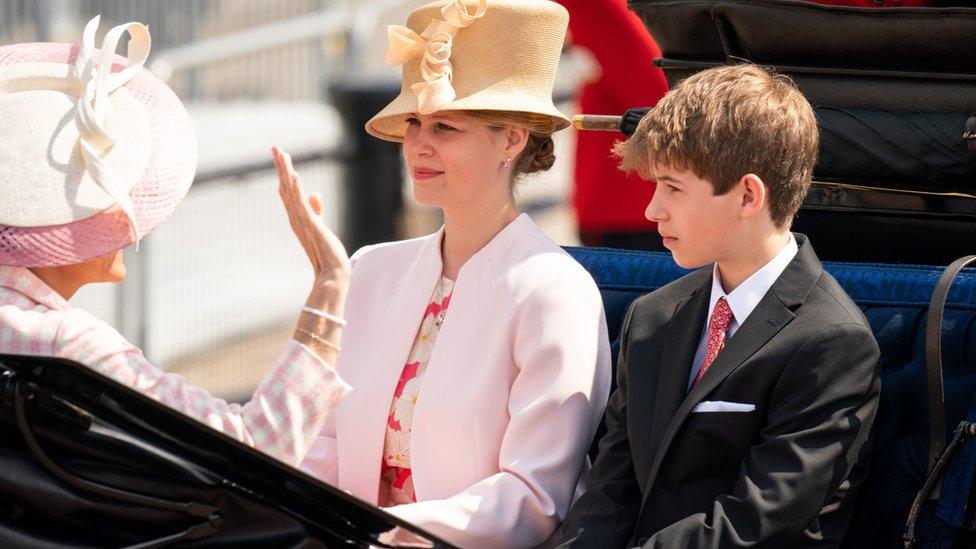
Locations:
{"points": [[285, 414]]}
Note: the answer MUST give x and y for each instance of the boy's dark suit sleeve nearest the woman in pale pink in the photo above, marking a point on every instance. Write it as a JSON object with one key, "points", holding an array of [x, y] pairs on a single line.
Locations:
{"points": [[605, 514]]}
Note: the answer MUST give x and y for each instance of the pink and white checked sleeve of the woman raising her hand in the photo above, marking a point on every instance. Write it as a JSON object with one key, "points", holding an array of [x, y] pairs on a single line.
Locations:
{"points": [[282, 418]]}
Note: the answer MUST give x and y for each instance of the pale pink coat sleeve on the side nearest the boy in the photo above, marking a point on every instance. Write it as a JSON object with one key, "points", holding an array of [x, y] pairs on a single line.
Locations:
{"points": [[562, 352]]}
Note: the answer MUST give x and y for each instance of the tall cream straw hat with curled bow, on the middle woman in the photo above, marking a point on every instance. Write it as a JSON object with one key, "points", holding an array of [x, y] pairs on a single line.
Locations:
{"points": [[475, 55]]}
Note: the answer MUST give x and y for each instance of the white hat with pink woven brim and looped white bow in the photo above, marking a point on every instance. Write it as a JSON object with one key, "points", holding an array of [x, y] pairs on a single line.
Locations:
{"points": [[93, 157]]}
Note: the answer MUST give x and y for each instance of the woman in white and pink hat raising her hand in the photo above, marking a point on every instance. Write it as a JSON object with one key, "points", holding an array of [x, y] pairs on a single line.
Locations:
{"points": [[94, 157]]}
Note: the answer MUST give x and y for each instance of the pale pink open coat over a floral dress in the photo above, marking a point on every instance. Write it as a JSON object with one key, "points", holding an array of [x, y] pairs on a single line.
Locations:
{"points": [[514, 390]]}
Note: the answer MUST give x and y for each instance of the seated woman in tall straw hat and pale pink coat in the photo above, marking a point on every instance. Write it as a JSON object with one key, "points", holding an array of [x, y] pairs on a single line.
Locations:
{"points": [[478, 355]]}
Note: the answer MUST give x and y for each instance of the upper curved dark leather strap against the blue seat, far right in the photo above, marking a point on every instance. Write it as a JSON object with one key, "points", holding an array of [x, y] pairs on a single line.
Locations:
{"points": [[933, 358]]}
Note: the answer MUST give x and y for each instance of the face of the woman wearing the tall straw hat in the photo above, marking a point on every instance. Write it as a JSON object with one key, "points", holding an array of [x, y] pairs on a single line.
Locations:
{"points": [[455, 159]]}
